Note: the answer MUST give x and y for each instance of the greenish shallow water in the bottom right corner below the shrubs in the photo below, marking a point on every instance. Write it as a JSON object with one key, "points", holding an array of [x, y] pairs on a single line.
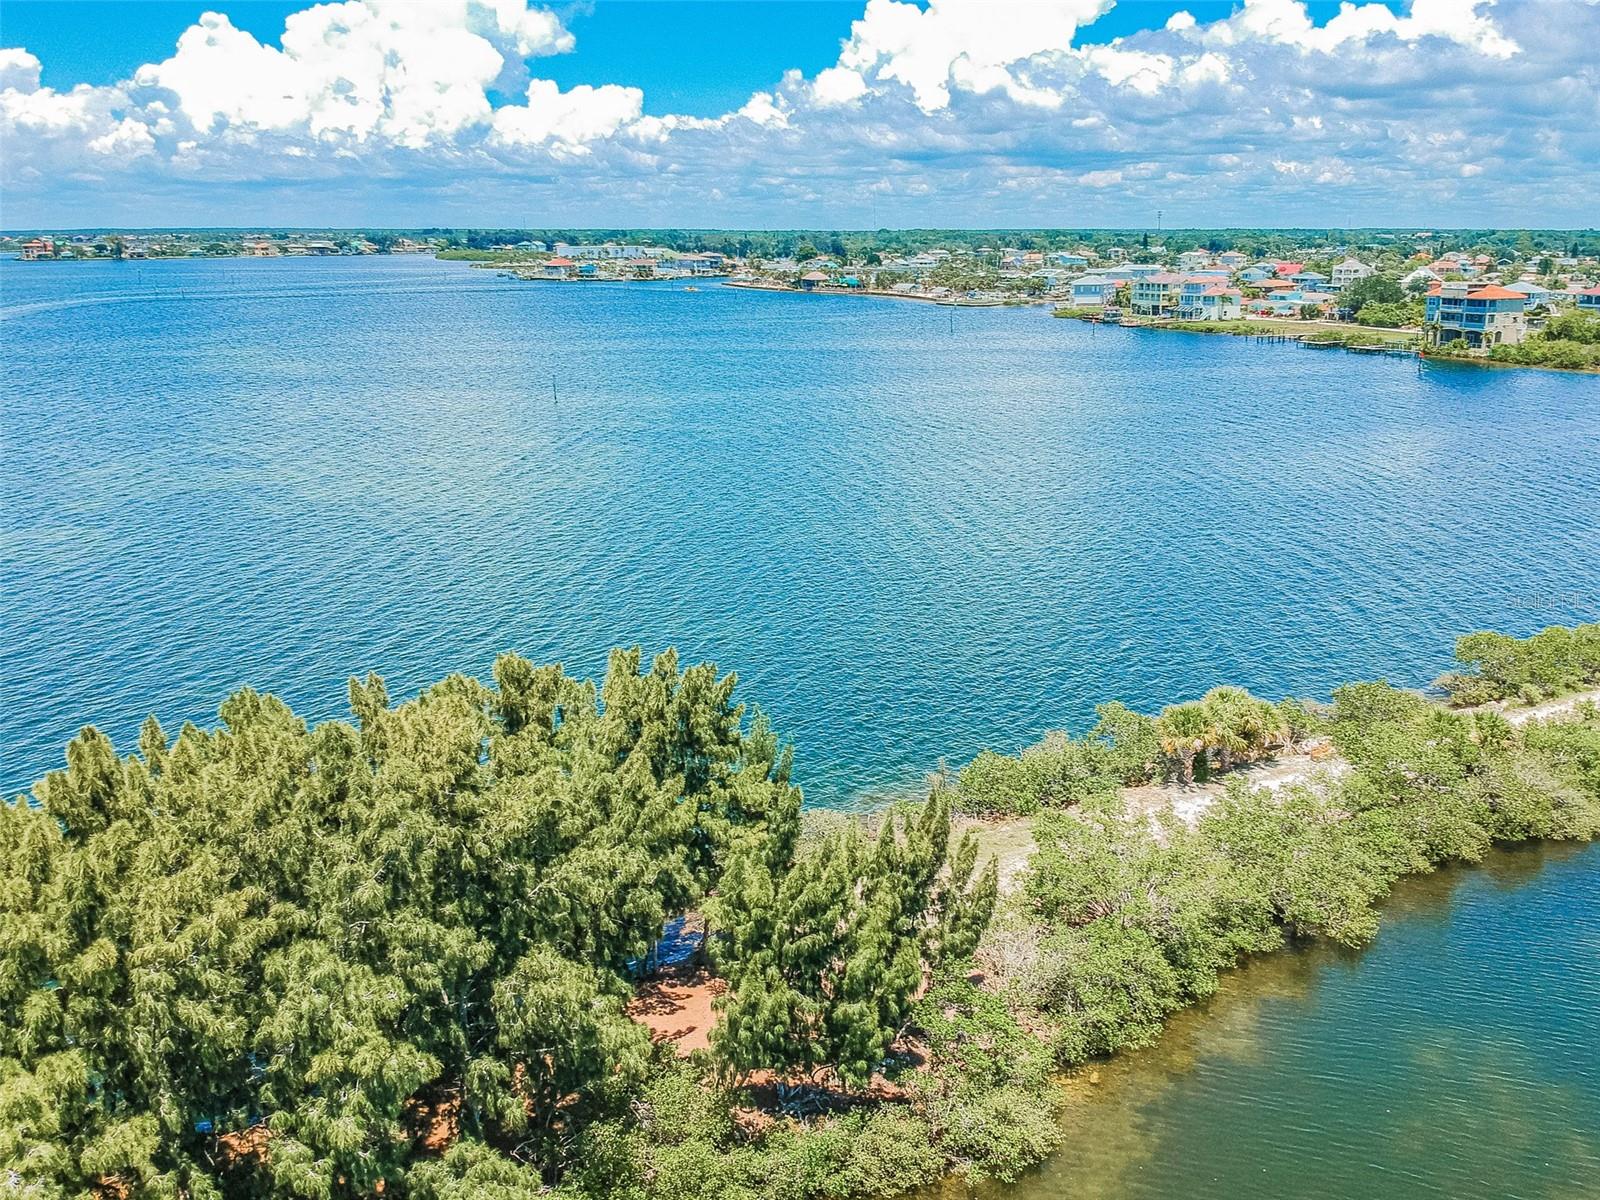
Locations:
{"points": [[1455, 1058]]}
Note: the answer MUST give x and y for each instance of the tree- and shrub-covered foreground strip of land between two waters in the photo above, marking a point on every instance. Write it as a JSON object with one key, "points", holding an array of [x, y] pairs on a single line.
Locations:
{"points": [[457, 908]]}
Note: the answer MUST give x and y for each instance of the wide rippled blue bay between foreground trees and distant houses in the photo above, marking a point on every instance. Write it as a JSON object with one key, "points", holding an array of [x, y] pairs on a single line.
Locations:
{"points": [[911, 537]]}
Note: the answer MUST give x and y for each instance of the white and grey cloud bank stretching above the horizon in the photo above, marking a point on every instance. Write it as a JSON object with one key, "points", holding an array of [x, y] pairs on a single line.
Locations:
{"points": [[972, 113]]}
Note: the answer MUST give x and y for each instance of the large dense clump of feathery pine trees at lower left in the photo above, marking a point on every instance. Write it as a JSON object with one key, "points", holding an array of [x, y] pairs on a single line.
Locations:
{"points": [[287, 937]]}
